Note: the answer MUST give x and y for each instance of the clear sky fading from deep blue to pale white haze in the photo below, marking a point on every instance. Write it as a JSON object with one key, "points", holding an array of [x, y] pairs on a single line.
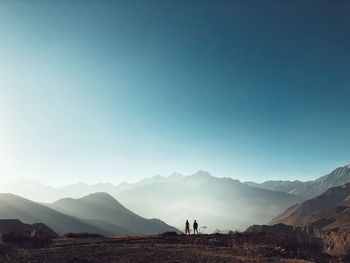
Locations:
{"points": [[119, 90]]}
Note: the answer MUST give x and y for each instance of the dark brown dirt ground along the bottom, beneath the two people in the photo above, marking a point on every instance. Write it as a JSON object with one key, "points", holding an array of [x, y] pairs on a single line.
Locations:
{"points": [[203, 248]]}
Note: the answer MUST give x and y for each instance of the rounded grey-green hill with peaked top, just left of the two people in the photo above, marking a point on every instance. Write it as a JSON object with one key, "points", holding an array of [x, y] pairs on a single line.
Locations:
{"points": [[102, 210]]}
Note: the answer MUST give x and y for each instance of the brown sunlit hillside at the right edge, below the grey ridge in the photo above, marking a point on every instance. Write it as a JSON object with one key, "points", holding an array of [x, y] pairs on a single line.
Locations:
{"points": [[329, 211]]}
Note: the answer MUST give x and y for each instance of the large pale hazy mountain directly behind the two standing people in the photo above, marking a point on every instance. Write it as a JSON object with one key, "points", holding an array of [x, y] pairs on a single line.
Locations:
{"points": [[217, 203]]}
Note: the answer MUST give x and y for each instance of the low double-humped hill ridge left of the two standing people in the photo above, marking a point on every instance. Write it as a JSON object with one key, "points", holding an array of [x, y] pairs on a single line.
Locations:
{"points": [[96, 213]]}
